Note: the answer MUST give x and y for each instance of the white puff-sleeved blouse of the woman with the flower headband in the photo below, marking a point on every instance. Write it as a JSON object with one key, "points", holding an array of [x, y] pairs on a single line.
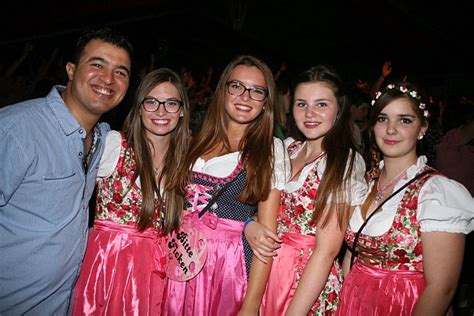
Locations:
{"points": [[444, 205]]}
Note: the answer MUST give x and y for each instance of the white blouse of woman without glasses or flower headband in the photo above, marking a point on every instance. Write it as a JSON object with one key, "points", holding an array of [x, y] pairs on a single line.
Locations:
{"points": [[358, 189]]}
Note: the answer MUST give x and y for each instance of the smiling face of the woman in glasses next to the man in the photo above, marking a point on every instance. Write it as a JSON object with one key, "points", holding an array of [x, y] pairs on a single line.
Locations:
{"points": [[161, 123]]}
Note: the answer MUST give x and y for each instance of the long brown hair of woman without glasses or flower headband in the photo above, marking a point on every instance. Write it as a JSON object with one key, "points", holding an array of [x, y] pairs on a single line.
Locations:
{"points": [[339, 146]]}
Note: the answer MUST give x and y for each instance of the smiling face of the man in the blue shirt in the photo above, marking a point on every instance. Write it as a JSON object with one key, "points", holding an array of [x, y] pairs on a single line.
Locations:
{"points": [[99, 80]]}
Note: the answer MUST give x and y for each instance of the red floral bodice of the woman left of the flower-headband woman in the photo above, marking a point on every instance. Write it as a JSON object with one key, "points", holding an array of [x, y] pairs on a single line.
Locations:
{"points": [[296, 208]]}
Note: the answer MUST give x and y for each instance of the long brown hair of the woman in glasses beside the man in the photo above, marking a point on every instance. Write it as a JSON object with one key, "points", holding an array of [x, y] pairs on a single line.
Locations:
{"points": [[171, 201]]}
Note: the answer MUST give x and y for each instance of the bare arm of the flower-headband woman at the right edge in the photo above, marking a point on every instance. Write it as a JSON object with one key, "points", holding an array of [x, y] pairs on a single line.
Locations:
{"points": [[442, 261]]}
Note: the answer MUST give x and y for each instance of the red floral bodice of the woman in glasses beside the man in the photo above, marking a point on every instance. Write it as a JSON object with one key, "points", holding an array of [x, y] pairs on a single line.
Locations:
{"points": [[117, 198]]}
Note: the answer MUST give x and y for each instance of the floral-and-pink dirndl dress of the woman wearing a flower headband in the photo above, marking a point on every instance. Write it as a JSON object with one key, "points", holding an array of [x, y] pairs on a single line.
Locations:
{"points": [[387, 277]]}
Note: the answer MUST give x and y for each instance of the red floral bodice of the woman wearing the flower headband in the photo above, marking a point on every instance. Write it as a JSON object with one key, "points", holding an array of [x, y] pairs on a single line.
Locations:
{"points": [[400, 247]]}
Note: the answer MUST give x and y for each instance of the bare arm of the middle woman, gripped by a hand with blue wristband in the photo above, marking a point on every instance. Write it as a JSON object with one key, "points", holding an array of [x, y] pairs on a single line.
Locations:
{"points": [[259, 271]]}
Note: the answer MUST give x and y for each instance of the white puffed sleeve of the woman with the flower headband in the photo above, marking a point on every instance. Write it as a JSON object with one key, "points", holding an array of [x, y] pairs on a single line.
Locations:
{"points": [[445, 205]]}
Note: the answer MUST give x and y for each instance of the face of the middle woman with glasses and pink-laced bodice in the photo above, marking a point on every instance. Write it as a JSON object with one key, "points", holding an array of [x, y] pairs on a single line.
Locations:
{"points": [[242, 110]]}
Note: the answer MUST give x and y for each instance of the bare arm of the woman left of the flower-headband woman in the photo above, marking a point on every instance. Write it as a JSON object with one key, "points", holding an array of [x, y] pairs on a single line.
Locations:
{"points": [[315, 275]]}
